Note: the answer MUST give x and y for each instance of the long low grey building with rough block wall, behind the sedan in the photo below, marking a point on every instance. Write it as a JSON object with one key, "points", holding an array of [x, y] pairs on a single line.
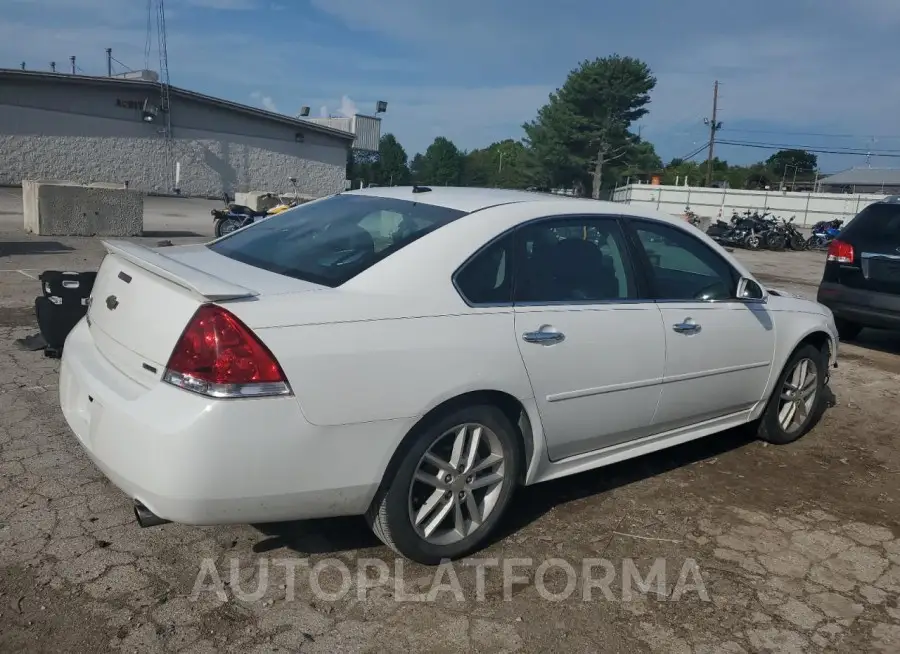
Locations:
{"points": [[161, 139]]}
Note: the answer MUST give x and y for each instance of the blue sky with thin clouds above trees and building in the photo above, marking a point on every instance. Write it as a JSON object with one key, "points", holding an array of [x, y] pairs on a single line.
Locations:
{"points": [[818, 73]]}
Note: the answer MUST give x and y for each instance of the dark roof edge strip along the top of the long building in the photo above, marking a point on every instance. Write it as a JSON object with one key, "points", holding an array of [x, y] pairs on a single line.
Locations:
{"points": [[90, 80]]}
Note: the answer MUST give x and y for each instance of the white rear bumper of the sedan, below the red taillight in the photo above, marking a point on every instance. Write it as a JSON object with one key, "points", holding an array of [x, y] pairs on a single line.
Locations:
{"points": [[198, 461]]}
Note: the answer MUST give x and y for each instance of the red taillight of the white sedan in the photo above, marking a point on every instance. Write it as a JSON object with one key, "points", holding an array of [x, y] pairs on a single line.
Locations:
{"points": [[218, 356]]}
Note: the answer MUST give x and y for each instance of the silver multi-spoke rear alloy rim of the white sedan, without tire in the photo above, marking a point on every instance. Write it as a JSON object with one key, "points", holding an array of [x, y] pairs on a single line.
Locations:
{"points": [[457, 484]]}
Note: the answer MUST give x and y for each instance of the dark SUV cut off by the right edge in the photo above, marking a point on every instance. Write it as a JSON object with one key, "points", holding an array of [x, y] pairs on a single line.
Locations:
{"points": [[861, 282]]}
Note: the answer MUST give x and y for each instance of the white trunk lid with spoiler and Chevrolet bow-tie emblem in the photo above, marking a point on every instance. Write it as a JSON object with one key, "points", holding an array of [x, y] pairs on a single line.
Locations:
{"points": [[143, 299]]}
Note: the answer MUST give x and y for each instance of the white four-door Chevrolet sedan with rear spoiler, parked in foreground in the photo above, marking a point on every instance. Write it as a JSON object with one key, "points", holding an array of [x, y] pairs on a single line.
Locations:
{"points": [[413, 355]]}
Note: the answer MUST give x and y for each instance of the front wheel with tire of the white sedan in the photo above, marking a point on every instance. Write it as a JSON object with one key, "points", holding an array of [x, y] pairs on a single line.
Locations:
{"points": [[797, 398]]}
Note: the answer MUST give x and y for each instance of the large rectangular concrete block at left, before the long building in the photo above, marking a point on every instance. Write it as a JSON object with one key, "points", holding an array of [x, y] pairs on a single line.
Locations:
{"points": [[64, 208]]}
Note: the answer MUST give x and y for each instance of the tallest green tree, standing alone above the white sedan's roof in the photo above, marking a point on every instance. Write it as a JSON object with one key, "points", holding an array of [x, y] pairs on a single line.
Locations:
{"points": [[584, 126]]}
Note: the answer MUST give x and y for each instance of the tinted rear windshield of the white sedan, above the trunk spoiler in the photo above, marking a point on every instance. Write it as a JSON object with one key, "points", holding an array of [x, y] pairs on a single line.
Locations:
{"points": [[331, 241]]}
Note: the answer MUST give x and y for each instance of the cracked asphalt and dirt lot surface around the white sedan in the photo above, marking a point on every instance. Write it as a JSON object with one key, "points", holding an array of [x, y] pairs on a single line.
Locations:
{"points": [[757, 548]]}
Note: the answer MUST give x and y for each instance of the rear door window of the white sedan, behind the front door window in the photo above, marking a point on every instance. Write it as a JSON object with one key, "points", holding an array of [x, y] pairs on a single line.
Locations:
{"points": [[572, 260]]}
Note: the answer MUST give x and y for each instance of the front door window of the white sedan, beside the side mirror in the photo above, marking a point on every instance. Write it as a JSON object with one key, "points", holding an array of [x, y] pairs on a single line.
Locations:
{"points": [[683, 267]]}
